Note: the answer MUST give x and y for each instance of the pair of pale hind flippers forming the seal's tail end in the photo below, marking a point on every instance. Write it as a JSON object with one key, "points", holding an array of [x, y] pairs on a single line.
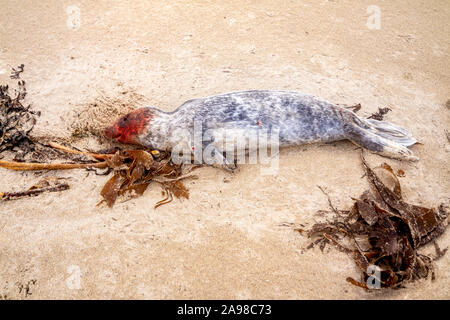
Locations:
{"points": [[381, 137]]}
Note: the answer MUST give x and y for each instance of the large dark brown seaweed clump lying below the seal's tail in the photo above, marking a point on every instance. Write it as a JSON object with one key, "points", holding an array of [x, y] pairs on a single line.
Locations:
{"points": [[382, 233]]}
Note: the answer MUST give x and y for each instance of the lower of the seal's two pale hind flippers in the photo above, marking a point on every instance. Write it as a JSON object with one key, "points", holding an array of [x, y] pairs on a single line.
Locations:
{"points": [[379, 144]]}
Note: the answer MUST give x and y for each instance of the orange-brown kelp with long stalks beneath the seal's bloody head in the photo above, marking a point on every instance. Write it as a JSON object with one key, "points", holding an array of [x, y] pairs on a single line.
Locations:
{"points": [[134, 170]]}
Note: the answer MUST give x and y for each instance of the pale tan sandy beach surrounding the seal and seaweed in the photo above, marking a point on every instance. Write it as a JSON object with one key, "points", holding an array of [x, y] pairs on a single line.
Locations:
{"points": [[88, 62]]}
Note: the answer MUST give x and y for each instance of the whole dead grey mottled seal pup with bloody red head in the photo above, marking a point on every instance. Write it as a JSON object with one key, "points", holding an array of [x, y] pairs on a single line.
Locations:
{"points": [[296, 117]]}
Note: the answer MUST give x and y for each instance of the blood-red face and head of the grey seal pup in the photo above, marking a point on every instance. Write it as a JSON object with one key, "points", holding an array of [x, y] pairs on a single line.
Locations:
{"points": [[127, 128]]}
